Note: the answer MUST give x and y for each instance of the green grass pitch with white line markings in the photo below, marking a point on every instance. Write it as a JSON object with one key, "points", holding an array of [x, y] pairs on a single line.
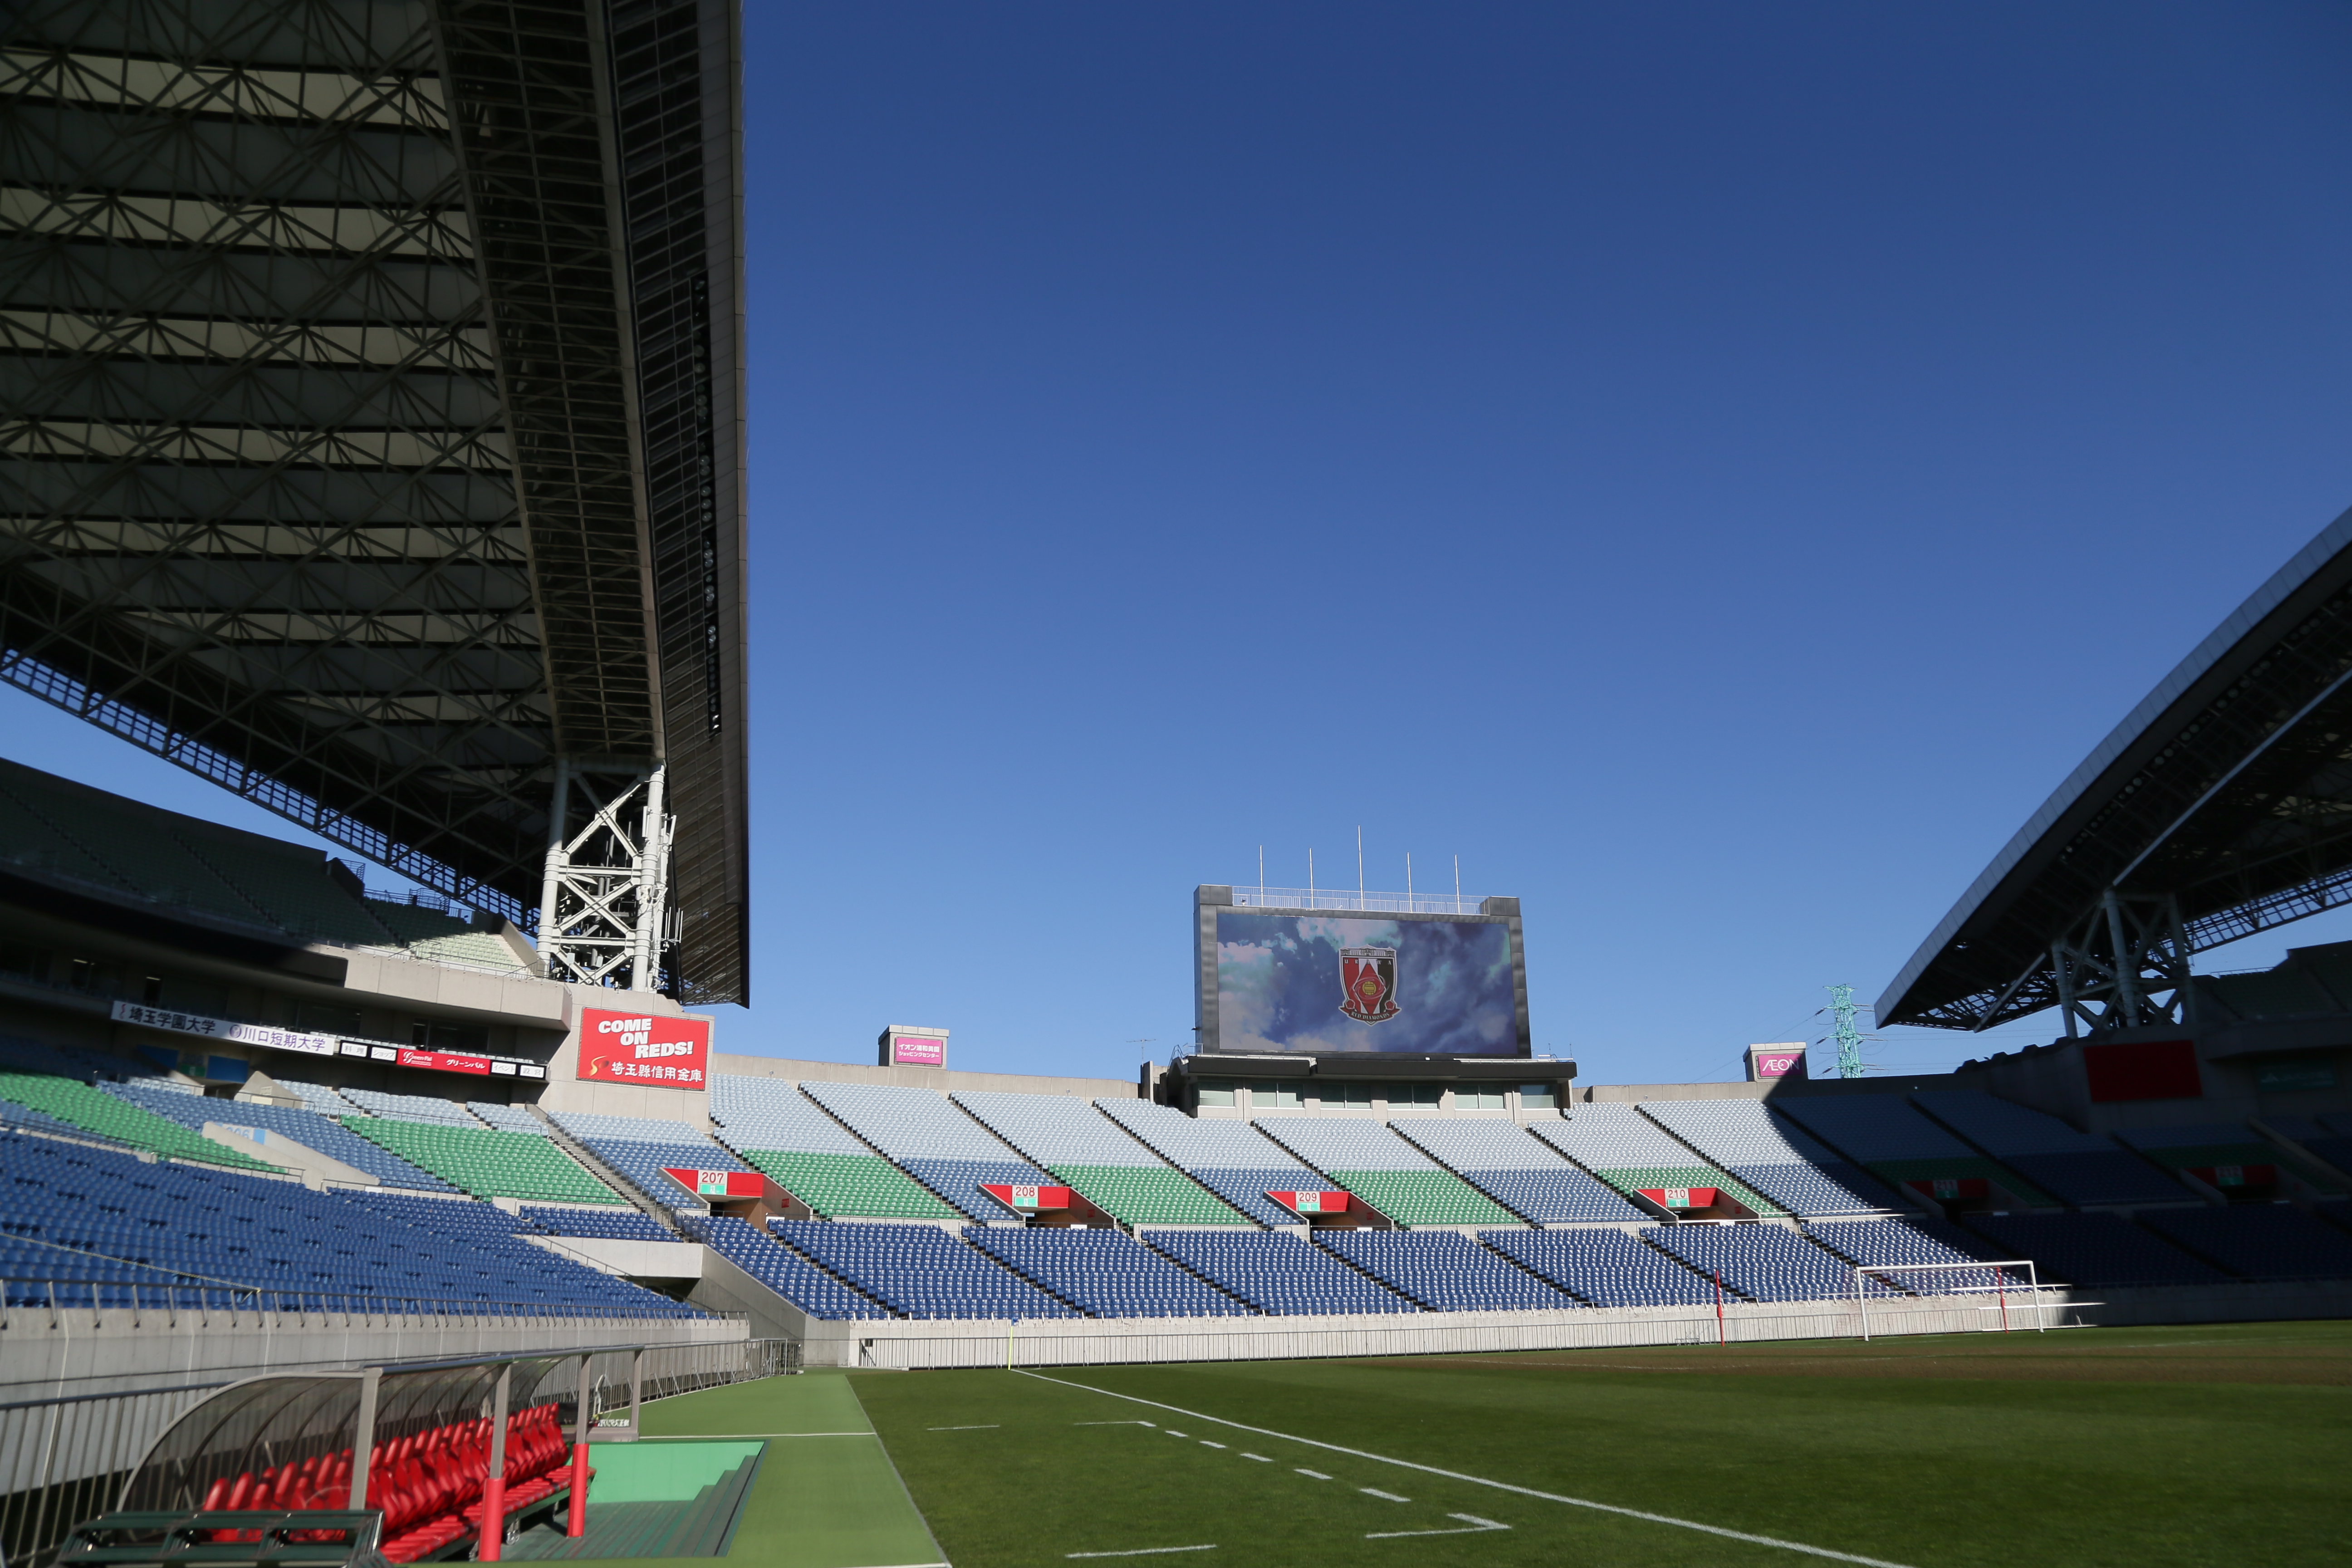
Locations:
{"points": [[2118, 1447]]}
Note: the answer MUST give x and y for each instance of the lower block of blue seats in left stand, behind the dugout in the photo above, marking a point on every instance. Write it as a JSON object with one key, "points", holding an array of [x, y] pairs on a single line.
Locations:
{"points": [[107, 1221]]}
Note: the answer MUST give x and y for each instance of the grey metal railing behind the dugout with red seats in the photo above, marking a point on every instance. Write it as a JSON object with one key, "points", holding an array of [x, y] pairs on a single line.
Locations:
{"points": [[65, 1456]]}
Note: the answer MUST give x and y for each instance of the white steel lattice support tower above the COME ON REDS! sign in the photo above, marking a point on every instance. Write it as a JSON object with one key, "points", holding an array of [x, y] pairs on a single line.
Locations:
{"points": [[606, 902]]}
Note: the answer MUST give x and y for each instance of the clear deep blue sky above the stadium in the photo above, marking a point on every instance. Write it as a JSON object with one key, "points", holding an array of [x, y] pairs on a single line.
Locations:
{"points": [[1713, 469]]}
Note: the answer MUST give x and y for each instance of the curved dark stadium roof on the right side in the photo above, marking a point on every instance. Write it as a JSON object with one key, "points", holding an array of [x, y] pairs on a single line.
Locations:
{"points": [[2226, 791]]}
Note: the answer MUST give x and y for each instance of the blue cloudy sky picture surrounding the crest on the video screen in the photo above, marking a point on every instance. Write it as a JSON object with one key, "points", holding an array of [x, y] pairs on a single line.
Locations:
{"points": [[1281, 986]]}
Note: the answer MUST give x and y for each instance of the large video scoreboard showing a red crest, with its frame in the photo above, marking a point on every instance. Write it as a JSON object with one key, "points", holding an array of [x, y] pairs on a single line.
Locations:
{"points": [[1358, 981]]}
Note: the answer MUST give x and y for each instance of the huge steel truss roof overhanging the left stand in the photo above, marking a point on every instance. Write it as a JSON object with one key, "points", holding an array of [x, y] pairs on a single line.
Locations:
{"points": [[370, 417]]}
